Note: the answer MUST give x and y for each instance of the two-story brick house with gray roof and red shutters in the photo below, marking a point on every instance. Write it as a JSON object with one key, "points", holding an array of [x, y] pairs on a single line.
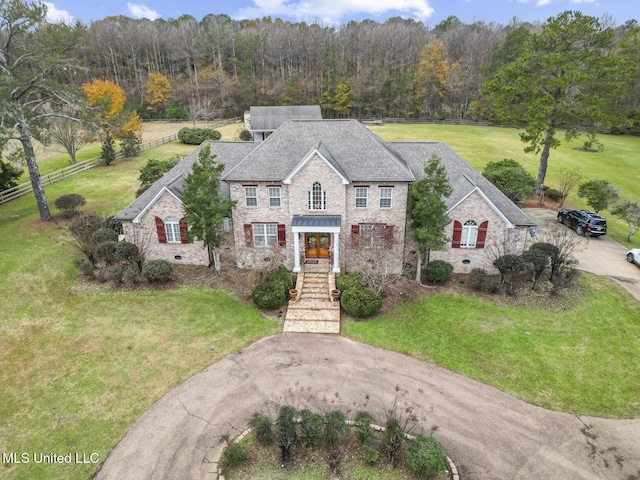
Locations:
{"points": [[327, 189]]}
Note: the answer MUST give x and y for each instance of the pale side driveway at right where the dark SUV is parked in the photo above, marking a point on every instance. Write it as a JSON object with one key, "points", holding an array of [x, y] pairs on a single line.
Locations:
{"points": [[599, 255]]}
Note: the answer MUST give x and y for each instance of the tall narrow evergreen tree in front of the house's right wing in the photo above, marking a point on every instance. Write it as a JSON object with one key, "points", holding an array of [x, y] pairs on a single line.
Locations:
{"points": [[427, 210]]}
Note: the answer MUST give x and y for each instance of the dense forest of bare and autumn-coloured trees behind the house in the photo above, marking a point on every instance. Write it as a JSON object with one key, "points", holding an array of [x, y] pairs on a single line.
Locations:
{"points": [[218, 67]]}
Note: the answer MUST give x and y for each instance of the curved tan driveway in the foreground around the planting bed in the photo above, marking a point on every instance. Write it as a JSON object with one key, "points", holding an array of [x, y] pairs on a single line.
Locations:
{"points": [[489, 435]]}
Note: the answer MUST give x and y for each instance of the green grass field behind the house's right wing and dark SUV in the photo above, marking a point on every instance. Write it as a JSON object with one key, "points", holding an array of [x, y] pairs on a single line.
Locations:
{"points": [[618, 162]]}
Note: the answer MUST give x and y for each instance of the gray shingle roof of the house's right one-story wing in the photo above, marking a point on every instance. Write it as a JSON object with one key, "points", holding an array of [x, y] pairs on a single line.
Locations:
{"points": [[462, 177]]}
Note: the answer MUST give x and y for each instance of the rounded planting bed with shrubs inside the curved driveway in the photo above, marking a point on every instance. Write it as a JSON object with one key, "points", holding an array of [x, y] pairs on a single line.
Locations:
{"points": [[309, 446]]}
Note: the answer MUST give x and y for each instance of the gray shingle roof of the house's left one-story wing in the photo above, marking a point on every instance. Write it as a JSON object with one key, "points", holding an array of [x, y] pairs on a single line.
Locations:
{"points": [[229, 153]]}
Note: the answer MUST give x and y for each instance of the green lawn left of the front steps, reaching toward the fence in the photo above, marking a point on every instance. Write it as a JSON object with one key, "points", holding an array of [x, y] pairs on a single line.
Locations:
{"points": [[79, 364]]}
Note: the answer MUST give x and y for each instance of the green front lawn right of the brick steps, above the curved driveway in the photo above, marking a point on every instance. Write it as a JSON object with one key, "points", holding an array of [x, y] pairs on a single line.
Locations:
{"points": [[580, 359]]}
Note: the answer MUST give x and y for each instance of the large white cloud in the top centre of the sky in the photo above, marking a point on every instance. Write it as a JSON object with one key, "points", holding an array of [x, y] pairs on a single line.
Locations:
{"points": [[331, 11]]}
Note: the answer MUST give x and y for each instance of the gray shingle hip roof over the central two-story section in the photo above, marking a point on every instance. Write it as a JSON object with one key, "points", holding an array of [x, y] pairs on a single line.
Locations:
{"points": [[357, 152]]}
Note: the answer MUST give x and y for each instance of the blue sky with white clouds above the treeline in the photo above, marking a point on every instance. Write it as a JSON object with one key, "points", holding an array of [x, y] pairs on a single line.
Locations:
{"points": [[336, 12]]}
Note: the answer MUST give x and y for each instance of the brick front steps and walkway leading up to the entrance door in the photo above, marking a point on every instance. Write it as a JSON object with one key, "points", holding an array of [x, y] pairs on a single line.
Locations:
{"points": [[314, 311]]}
